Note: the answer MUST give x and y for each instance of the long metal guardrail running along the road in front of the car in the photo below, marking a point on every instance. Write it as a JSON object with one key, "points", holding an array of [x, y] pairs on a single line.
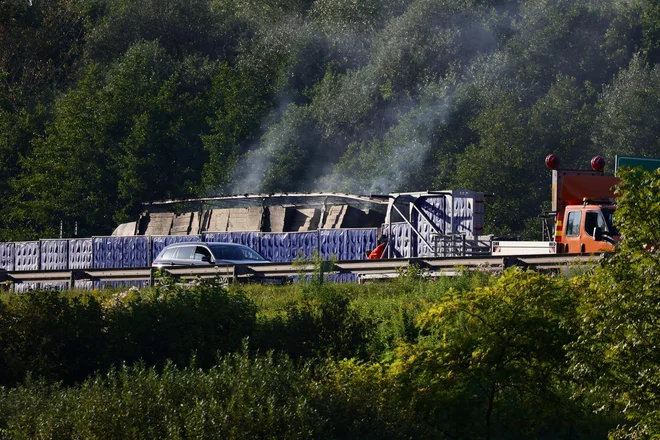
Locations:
{"points": [[367, 269]]}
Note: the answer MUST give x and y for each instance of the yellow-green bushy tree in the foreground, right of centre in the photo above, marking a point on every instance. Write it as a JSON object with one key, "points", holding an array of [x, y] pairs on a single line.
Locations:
{"points": [[491, 363]]}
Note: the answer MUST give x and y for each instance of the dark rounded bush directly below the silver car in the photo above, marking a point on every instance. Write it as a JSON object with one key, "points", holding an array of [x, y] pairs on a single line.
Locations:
{"points": [[171, 322]]}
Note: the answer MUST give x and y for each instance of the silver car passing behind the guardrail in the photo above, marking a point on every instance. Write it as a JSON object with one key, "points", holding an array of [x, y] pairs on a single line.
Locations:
{"points": [[200, 253]]}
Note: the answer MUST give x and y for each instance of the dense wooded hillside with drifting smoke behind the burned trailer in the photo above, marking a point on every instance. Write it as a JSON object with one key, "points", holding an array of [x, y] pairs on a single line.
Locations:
{"points": [[108, 103]]}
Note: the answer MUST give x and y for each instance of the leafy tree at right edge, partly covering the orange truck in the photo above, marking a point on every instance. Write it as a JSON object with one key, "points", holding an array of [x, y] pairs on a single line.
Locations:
{"points": [[616, 355]]}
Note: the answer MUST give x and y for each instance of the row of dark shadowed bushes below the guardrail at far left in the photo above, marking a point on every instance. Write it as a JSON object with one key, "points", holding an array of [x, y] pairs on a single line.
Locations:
{"points": [[66, 337]]}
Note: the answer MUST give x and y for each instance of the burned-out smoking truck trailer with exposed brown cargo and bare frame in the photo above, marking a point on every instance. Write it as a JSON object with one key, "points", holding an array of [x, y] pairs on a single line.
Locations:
{"points": [[344, 226]]}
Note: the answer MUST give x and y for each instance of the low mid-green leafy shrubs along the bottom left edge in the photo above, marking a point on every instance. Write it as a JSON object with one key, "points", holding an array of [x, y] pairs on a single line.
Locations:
{"points": [[241, 397]]}
